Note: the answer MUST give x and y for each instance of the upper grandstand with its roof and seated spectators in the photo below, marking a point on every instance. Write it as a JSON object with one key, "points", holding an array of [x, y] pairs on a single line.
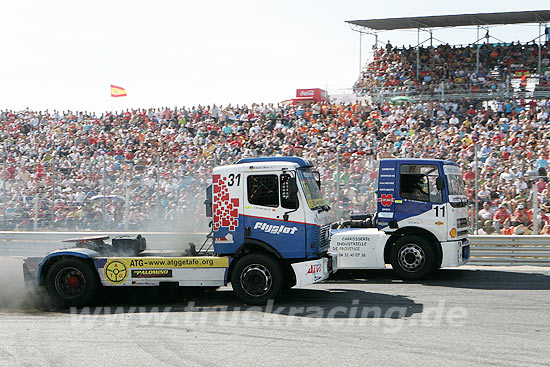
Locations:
{"points": [[486, 69]]}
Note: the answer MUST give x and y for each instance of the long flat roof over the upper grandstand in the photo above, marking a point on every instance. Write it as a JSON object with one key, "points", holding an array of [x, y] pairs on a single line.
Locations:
{"points": [[514, 17]]}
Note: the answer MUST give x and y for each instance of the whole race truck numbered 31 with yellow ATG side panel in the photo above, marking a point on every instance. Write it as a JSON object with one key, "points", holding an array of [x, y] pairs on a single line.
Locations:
{"points": [[270, 231]]}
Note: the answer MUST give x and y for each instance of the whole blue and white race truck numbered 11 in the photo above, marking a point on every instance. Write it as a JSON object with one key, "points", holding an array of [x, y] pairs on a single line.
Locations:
{"points": [[421, 222]]}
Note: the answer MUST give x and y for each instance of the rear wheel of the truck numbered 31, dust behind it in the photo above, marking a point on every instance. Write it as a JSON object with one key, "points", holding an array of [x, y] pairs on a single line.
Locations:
{"points": [[71, 283]]}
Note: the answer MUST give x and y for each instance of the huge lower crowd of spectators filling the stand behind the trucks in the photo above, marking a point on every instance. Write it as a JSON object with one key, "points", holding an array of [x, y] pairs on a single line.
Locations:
{"points": [[148, 168]]}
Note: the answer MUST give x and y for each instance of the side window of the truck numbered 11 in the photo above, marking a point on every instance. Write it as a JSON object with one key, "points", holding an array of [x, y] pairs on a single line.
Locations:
{"points": [[418, 182]]}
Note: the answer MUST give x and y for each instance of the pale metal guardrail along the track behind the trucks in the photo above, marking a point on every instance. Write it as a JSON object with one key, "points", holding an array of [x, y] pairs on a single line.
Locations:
{"points": [[486, 250]]}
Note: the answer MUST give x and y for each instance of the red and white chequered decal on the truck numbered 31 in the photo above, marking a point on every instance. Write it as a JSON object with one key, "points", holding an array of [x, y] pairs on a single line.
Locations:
{"points": [[226, 209]]}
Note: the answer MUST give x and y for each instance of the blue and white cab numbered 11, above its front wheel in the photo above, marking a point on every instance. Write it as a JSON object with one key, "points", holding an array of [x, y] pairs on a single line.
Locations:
{"points": [[422, 193]]}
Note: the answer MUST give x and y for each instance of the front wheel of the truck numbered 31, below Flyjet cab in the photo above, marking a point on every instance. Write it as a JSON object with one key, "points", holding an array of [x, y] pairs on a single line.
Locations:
{"points": [[257, 278]]}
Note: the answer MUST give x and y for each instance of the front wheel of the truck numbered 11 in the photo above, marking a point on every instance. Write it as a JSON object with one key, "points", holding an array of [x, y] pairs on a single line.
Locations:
{"points": [[412, 258]]}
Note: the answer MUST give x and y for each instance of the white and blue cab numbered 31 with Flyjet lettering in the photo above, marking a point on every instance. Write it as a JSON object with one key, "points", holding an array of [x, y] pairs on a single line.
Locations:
{"points": [[273, 203]]}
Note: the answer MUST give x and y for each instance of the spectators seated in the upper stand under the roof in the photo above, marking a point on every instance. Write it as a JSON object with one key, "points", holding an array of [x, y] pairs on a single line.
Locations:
{"points": [[453, 67]]}
